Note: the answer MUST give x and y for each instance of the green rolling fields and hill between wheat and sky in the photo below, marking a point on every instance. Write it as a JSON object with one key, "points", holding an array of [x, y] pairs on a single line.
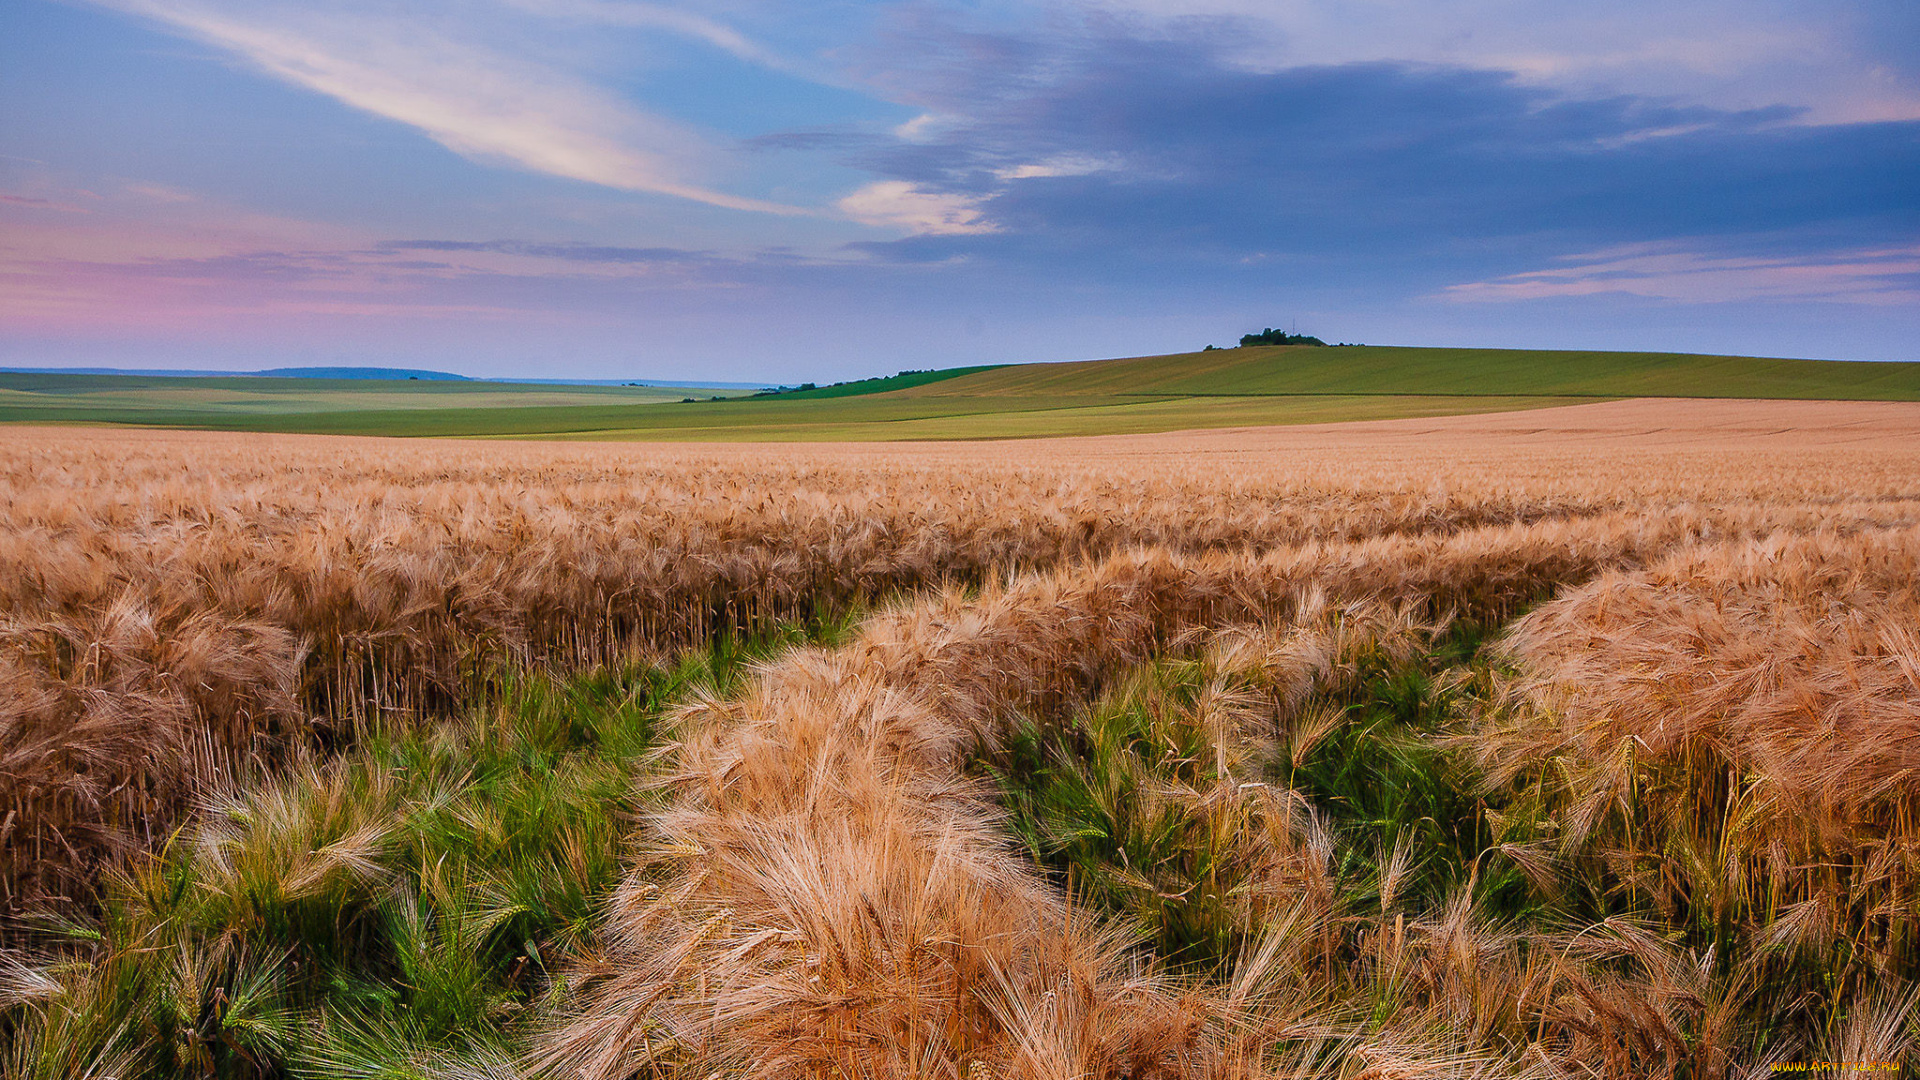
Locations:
{"points": [[1241, 387]]}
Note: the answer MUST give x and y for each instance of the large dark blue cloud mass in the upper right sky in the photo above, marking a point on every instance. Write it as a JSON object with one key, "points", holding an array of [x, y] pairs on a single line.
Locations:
{"points": [[1395, 172]]}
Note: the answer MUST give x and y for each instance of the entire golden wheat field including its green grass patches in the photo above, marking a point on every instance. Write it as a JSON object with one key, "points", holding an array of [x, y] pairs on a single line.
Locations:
{"points": [[1570, 743]]}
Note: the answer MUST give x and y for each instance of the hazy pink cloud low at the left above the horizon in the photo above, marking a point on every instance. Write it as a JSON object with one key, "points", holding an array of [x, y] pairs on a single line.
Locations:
{"points": [[189, 266]]}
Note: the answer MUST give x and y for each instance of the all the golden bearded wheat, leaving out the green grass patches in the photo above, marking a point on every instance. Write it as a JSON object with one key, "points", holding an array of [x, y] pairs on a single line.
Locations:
{"points": [[189, 610]]}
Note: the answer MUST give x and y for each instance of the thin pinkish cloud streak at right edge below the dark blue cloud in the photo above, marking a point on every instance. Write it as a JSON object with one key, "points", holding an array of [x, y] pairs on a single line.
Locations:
{"points": [[1666, 272]]}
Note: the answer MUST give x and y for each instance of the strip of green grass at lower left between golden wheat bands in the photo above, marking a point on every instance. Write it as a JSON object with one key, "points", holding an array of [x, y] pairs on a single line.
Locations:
{"points": [[396, 910]]}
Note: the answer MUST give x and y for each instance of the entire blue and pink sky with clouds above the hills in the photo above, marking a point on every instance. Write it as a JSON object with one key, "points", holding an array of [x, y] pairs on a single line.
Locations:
{"points": [[765, 191]]}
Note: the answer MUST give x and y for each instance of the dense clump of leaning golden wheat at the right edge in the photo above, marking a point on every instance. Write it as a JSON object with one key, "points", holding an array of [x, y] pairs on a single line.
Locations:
{"points": [[1725, 747]]}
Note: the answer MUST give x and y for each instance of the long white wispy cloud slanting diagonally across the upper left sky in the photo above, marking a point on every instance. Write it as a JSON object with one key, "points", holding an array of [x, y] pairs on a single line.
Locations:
{"points": [[483, 103]]}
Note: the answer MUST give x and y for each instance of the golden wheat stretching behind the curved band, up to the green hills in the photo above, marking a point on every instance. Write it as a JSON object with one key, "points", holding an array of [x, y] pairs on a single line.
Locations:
{"points": [[178, 610]]}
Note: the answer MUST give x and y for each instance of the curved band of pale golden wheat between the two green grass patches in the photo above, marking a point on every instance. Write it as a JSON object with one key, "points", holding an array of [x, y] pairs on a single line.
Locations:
{"points": [[827, 881]]}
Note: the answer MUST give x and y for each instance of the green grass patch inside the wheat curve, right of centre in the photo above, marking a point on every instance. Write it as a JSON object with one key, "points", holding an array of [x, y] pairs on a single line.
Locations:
{"points": [[1164, 810]]}
